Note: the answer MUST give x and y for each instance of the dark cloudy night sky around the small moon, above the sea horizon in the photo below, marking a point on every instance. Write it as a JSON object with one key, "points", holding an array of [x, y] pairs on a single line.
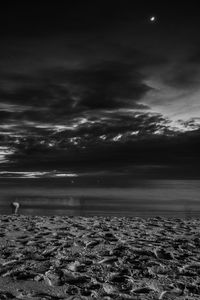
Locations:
{"points": [[99, 87]]}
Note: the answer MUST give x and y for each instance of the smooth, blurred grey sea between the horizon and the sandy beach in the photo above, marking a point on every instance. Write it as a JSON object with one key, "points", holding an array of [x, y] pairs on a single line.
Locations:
{"points": [[176, 198]]}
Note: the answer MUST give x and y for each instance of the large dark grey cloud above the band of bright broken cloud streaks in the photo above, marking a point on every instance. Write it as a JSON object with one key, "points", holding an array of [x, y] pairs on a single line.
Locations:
{"points": [[59, 93]]}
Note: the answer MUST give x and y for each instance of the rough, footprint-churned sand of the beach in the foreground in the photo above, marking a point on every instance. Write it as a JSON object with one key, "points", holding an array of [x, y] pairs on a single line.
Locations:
{"points": [[99, 258]]}
